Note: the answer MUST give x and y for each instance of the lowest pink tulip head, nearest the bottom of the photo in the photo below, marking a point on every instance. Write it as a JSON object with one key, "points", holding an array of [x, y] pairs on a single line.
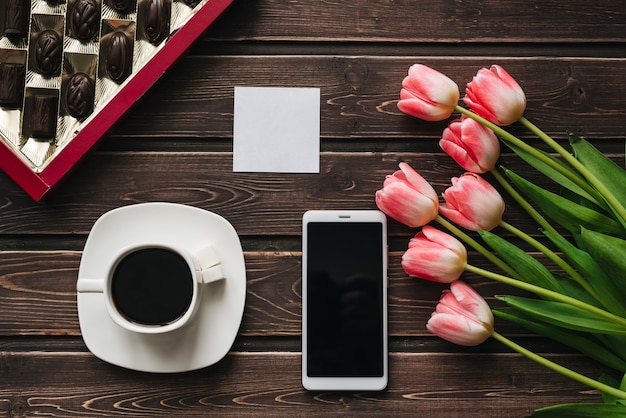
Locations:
{"points": [[462, 316]]}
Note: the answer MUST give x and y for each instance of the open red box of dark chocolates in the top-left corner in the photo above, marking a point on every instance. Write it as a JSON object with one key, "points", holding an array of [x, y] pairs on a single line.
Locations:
{"points": [[70, 69]]}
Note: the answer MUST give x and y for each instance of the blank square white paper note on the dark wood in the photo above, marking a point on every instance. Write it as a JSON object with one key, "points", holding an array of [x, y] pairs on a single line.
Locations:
{"points": [[276, 129]]}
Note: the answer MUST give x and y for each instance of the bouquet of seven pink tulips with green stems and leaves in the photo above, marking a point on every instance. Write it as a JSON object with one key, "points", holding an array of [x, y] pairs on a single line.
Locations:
{"points": [[583, 304]]}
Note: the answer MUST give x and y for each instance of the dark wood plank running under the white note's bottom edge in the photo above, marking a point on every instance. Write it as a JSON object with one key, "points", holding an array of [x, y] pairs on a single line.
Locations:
{"points": [[262, 204]]}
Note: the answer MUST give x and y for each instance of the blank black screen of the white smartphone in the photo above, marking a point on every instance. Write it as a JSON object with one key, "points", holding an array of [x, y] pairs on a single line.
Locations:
{"points": [[345, 285]]}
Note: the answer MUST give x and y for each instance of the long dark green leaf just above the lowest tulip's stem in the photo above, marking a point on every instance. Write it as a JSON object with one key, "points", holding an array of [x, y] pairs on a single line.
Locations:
{"points": [[579, 341]]}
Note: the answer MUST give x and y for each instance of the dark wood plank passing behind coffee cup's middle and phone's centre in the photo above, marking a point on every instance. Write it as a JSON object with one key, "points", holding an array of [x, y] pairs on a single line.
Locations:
{"points": [[38, 295]]}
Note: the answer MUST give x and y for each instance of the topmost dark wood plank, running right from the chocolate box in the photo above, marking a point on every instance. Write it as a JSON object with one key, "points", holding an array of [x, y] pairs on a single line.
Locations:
{"points": [[424, 21]]}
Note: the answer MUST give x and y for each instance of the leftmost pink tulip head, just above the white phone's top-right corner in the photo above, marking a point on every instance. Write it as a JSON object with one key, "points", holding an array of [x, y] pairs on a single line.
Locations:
{"points": [[408, 198]]}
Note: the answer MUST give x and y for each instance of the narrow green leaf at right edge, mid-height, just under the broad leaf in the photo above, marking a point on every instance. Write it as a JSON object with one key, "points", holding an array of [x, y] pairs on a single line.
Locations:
{"points": [[611, 295]]}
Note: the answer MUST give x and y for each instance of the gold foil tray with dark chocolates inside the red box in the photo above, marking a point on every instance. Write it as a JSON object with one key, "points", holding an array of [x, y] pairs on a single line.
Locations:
{"points": [[61, 61]]}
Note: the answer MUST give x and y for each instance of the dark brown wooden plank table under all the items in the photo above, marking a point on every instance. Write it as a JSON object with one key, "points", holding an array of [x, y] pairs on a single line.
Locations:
{"points": [[176, 146]]}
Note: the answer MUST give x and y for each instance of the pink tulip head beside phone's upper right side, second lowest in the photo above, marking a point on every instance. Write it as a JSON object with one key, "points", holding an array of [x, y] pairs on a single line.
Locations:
{"points": [[434, 255]]}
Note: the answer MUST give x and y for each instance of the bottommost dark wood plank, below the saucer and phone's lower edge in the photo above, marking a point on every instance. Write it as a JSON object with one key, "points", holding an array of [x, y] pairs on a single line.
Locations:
{"points": [[268, 384]]}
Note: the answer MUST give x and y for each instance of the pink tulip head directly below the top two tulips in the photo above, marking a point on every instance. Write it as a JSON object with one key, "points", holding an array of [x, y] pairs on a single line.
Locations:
{"points": [[472, 145]]}
